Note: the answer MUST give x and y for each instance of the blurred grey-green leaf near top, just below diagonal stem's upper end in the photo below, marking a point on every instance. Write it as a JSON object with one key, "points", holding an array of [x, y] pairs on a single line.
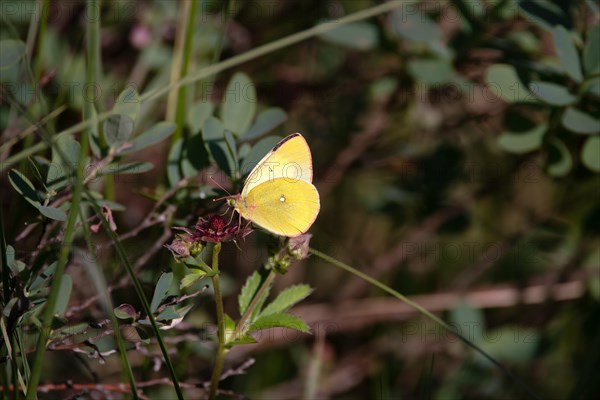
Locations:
{"points": [[415, 26]]}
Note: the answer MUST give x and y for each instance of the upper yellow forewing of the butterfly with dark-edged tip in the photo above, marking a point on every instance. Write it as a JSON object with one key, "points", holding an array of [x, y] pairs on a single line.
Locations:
{"points": [[289, 159]]}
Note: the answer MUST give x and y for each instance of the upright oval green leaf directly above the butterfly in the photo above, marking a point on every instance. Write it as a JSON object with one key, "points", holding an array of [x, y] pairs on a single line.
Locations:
{"points": [[239, 104]]}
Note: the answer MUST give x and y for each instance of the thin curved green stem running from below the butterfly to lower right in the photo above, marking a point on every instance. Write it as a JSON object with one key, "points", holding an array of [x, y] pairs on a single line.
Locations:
{"points": [[425, 312]]}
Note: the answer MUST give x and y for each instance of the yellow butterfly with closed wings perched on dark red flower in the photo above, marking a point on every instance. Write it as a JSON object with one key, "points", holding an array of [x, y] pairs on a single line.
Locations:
{"points": [[278, 195]]}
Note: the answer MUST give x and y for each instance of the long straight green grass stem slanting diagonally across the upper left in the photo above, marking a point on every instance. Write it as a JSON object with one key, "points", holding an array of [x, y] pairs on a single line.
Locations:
{"points": [[219, 67]]}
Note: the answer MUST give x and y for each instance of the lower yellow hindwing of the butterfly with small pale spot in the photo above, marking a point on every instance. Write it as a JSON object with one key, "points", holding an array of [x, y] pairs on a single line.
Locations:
{"points": [[282, 207]]}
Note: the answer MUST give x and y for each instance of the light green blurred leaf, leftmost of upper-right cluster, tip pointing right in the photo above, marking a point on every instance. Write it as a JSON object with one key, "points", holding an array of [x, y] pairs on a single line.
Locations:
{"points": [[504, 81]]}
